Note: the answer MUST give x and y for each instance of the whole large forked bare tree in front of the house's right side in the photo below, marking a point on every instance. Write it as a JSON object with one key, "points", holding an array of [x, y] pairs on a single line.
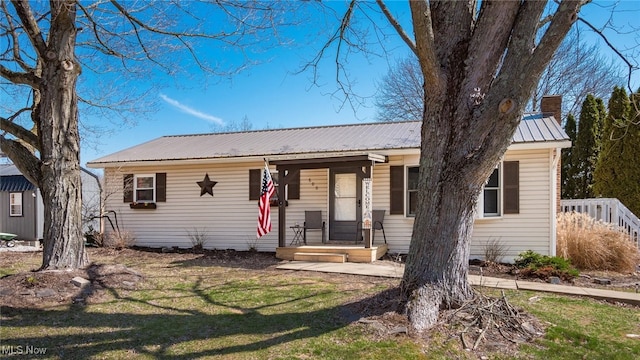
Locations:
{"points": [[481, 62]]}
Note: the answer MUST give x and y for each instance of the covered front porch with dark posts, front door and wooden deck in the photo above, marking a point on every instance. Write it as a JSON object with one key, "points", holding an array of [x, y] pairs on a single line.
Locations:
{"points": [[346, 215]]}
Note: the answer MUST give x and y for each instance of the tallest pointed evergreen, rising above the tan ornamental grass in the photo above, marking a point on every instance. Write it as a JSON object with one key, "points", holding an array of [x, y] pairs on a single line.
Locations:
{"points": [[608, 177]]}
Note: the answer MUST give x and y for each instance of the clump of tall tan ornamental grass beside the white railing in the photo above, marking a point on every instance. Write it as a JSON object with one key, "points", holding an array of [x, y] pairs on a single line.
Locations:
{"points": [[593, 245]]}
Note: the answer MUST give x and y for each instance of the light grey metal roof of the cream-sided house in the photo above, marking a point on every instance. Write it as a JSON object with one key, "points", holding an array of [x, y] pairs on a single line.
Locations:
{"points": [[369, 137]]}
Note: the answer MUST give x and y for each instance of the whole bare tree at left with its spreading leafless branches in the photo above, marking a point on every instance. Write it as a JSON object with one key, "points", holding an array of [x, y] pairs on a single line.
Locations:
{"points": [[50, 44]]}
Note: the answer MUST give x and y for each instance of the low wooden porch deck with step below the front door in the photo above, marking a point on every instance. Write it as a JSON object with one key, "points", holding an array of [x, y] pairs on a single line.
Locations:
{"points": [[327, 252]]}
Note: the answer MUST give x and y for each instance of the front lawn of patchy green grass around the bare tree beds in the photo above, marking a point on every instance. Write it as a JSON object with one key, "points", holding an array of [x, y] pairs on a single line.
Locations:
{"points": [[212, 312]]}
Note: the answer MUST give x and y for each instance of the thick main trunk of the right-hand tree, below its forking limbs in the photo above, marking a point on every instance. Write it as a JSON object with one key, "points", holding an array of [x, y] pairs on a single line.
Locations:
{"points": [[436, 270]]}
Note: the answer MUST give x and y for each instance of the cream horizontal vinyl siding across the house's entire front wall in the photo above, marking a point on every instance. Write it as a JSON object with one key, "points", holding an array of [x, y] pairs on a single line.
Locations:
{"points": [[230, 219]]}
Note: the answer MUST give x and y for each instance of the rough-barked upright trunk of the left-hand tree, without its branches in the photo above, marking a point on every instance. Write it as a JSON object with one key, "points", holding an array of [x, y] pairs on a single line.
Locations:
{"points": [[57, 119]]}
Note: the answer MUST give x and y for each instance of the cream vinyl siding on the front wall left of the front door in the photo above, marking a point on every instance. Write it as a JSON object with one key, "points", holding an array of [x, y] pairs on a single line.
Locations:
{"points": [[229, 218]]}
